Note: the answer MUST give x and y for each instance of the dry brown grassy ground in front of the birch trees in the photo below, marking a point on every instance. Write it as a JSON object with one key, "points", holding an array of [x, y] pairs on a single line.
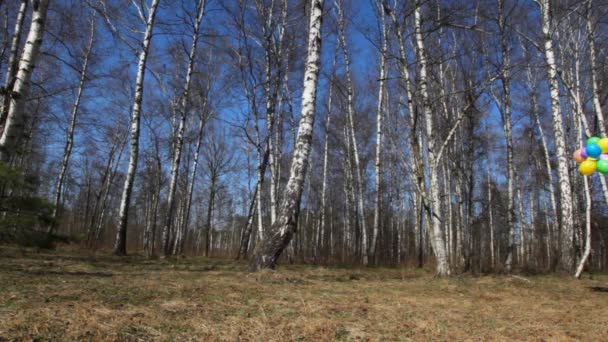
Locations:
{"points": [[74, 296]]}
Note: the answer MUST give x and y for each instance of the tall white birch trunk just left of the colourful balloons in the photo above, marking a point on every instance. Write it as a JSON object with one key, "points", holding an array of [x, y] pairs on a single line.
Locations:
{"points": [[567, 225]]}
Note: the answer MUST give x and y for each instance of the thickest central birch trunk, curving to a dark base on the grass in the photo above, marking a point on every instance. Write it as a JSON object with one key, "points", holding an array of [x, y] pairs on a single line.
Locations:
{"points": [[281, 231]]}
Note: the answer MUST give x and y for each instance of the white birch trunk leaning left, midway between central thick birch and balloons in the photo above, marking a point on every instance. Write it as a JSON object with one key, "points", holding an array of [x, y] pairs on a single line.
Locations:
{"points": [[437, 235]]}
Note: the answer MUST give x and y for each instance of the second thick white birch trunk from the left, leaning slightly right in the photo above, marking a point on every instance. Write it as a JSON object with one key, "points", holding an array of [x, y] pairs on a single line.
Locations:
{"points": [[120, 247]]}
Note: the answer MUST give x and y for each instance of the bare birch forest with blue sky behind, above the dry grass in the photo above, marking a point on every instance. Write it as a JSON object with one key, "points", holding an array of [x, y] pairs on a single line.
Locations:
{"points": [[373, 132]]}
